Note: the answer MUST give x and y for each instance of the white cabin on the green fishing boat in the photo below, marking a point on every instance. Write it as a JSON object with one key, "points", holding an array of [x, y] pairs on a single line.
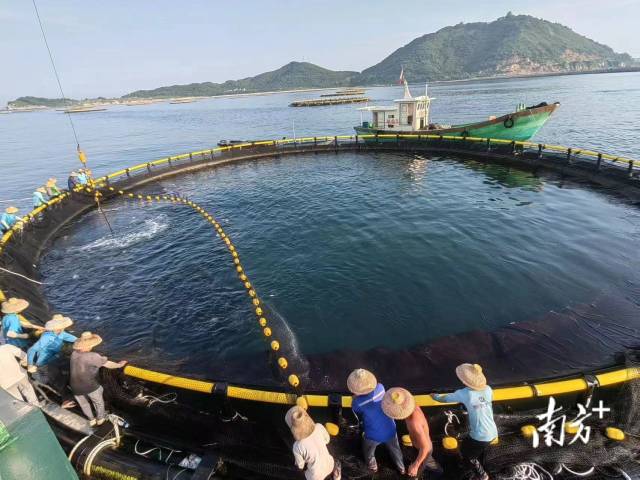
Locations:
{"points": [[408, 114]]}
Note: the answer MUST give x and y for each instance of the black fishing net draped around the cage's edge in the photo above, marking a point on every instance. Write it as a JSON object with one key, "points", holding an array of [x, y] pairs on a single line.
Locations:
{"points": [[253, 442]]}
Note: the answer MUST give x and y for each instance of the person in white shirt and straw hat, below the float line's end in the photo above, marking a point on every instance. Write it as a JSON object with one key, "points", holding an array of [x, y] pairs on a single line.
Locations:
{"points": [[310, 446]]}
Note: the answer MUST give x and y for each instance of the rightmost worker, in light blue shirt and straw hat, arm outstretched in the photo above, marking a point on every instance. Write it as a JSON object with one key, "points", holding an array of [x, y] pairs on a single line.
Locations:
{"points": [[477, 397]]}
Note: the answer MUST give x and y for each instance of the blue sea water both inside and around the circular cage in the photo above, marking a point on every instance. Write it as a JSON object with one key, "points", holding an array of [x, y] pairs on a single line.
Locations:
{"points": [[354, 251]]}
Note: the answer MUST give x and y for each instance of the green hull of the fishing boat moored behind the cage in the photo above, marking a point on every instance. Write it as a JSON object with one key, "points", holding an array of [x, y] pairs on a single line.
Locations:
{"points": [[519, 126]]}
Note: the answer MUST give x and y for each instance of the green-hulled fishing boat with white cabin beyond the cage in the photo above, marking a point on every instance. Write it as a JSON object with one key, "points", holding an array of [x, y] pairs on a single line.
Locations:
{"points": [[410, 115]]}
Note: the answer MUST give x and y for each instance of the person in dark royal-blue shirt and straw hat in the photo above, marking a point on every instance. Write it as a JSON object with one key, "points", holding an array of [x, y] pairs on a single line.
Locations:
{"points": [[378, 428]]}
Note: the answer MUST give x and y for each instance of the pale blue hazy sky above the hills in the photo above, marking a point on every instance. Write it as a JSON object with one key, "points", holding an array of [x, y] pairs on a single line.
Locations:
{"points": [[109, 48]]}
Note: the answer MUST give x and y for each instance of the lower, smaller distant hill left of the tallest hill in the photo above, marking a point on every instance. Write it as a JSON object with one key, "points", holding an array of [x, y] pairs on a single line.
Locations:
{"points": [[291, 76]]}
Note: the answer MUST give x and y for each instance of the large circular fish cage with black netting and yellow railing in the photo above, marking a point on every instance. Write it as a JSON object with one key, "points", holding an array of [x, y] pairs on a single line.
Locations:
{"points": [[174, 425]]}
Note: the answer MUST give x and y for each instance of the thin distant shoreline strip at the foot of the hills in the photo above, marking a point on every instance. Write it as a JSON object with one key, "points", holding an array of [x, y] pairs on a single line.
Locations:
{"points": [[140, 101]]}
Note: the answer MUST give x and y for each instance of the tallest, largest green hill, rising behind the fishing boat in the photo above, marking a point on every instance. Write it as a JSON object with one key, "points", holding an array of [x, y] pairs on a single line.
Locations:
{"points": [[511, 45]]}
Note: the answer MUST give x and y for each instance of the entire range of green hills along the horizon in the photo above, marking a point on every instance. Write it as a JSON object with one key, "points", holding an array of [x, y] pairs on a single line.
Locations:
{"points": [[511, 45]]}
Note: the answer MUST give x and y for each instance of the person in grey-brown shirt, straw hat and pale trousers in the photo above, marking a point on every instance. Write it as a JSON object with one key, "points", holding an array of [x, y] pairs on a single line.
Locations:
{"points": [[85, 366]]}
